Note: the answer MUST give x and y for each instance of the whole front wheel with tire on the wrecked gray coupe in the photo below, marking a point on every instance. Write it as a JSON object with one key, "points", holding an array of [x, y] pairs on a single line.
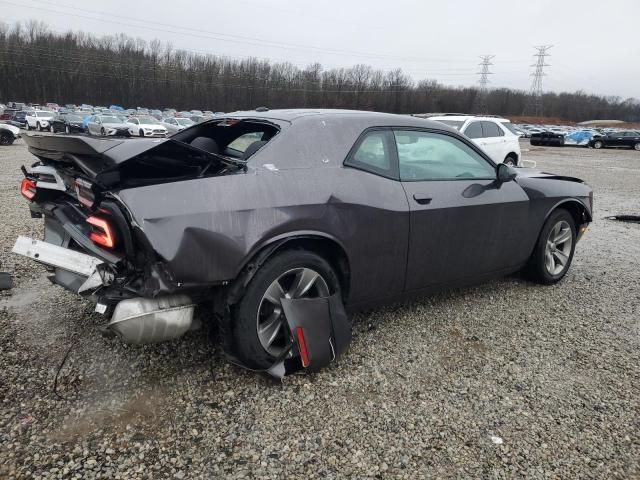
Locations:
{"points": [[554, 250]]}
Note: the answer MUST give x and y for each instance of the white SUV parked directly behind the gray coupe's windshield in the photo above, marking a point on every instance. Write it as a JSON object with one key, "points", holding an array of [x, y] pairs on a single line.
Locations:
{"points": [[493, 135]]}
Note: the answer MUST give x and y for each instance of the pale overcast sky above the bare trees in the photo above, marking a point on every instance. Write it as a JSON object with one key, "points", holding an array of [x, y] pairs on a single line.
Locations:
{"points": [[596, 43]]}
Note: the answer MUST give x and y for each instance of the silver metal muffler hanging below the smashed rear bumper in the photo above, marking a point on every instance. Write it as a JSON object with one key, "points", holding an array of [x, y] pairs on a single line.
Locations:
{"points": [[152, 320]]}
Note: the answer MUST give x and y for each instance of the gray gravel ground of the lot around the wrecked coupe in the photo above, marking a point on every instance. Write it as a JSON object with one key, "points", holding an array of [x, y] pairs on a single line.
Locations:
{"points": [[508, 379]]}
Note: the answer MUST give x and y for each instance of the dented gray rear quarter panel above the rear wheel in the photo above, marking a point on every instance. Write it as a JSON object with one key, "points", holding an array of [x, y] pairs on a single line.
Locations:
{"points": [[206, 229]]}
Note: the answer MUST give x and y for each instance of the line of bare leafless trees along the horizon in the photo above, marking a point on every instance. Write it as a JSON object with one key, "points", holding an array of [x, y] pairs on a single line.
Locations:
{"points": [[38, 65]]}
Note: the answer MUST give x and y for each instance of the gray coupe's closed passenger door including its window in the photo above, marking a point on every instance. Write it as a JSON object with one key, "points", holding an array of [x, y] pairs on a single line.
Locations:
{"points": [[463, 224]]}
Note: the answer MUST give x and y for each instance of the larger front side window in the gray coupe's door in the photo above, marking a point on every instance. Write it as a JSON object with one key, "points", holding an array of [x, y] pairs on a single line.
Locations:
{"points": [[433, 156]]}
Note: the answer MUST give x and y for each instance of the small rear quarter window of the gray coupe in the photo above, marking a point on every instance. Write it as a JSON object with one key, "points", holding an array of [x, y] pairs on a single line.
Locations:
{"points": [[373, 153]]}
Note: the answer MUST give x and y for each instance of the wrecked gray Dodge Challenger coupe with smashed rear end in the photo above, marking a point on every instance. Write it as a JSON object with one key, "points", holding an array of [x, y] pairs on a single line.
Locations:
{"points": [[242, 215]]}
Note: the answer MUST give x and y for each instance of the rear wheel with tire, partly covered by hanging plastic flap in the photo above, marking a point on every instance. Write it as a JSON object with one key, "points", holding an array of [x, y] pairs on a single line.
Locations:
{"points": [[259, 331]]}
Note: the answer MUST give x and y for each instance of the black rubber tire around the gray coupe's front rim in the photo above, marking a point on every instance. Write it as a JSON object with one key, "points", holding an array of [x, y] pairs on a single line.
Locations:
{"points": [[536, 269]]}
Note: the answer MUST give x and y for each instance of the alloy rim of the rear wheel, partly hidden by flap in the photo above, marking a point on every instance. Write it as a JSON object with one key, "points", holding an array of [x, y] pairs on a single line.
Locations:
{"points": [[271, 322]]}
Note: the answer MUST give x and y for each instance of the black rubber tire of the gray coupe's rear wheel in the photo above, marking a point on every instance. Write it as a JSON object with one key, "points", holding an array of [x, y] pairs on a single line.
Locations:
{"points": [[244, 341]]}
